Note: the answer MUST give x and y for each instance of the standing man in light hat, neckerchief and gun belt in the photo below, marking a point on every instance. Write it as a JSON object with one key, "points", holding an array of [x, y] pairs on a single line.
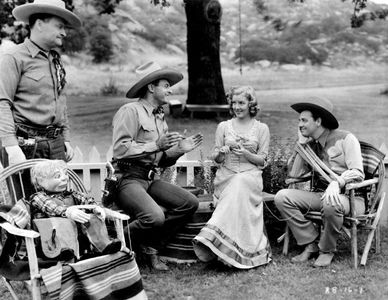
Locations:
{"points": [[34, 122]]}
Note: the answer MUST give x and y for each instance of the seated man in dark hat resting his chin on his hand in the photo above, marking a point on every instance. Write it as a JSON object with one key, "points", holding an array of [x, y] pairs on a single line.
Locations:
{"points": [[341, 152]]}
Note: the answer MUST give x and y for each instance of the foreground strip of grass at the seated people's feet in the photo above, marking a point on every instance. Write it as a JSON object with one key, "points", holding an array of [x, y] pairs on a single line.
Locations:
{"points": [[278, 280]]}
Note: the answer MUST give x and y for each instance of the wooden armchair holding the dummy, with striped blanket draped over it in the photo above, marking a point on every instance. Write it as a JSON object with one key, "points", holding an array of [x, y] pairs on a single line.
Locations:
{"points": [[13, 186]]}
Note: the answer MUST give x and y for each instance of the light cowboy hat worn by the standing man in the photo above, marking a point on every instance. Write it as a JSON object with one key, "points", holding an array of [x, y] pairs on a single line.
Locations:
{"points": [[52, 7]]}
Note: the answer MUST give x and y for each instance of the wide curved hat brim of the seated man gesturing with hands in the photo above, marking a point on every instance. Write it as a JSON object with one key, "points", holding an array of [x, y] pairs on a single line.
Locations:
{"points": [[171, 75]]}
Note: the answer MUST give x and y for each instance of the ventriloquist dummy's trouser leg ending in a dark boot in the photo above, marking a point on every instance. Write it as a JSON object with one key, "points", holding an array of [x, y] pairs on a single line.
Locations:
{"points": [[98, 236]]}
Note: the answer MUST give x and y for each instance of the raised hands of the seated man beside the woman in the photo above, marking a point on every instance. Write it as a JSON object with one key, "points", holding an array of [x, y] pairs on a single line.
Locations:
{"points": [[182, 143]]}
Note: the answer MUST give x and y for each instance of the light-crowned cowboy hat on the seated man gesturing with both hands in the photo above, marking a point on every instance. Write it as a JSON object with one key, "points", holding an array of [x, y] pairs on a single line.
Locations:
{"points": [[150, 72]]}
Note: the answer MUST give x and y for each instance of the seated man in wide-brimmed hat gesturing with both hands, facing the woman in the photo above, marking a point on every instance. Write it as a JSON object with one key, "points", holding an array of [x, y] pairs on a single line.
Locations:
{"points": [[141, 143]]}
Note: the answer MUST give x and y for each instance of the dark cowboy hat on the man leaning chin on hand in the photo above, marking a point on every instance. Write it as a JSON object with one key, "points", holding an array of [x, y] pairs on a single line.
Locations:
{"points": [[321, 106]]}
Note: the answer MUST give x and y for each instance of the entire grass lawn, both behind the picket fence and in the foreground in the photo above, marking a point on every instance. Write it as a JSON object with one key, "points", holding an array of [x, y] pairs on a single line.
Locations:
{"points": [[359, 107]]}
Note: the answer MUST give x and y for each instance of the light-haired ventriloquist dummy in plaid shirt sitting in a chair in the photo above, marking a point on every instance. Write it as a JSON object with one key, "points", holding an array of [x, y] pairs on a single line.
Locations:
{"points": [[52, 199]]}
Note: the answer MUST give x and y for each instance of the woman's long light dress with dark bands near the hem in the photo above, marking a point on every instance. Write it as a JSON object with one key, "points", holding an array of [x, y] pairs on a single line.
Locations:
{"points": [[235, 233]]}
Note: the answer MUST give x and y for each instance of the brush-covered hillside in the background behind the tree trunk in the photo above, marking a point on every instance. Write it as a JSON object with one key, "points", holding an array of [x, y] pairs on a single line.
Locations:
{"points": [[141, 31]]}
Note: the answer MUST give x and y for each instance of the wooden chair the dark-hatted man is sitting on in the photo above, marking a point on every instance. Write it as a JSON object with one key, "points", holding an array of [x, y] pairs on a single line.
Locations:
{"points": [[371, 188]]}
